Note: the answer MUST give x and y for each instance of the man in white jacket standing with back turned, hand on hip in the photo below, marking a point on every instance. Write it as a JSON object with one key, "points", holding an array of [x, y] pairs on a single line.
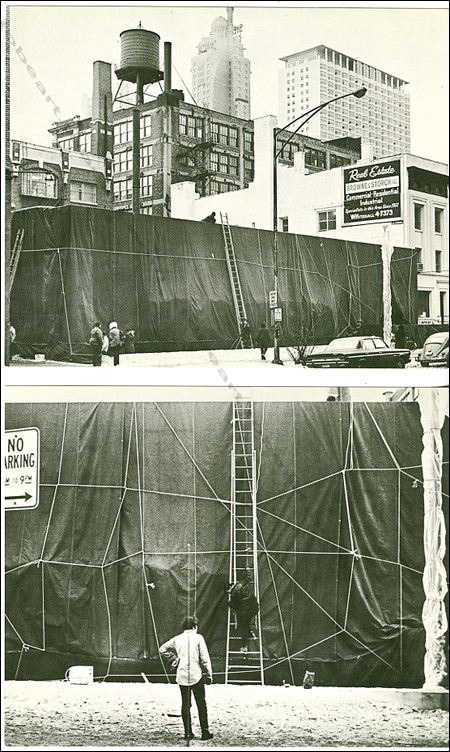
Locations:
{"points": [[188, 652]]}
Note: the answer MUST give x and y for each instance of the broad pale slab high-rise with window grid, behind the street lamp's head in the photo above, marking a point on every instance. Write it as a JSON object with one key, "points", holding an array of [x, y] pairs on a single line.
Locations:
{"points": [[381, 117]]}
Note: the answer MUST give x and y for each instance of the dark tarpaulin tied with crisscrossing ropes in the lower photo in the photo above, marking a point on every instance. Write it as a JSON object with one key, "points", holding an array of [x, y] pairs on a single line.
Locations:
{"points": [[136, 495]]}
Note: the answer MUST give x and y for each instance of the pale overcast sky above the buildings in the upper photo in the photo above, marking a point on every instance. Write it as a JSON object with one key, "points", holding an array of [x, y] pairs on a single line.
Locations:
{"points": [[61, 41]]}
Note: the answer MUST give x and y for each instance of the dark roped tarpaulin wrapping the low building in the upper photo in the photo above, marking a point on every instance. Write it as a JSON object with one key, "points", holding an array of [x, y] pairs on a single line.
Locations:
{"points": [[167, 279]]}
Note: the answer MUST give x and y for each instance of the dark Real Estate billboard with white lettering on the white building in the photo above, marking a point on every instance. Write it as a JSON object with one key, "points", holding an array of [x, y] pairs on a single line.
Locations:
{"points": [[372, 193]]}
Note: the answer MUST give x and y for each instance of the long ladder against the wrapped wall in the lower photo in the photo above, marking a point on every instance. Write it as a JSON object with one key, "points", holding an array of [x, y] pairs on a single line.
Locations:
{"points": [[243, 668]]}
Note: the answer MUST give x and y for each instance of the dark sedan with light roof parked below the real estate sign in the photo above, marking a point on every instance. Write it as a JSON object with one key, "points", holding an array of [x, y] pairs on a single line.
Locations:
{"points": [[359, 352]]}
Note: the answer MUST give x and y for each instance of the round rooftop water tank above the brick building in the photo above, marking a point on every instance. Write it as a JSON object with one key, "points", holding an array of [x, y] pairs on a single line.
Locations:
{"points": [[139, 50]]}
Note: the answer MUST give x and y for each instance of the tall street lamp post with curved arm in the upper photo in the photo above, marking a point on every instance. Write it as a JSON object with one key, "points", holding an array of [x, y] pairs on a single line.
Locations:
{"points": [[276, 153]]}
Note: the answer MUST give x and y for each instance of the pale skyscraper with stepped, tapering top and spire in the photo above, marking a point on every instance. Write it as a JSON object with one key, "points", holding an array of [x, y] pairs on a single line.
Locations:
{"points": [[220, 72]]}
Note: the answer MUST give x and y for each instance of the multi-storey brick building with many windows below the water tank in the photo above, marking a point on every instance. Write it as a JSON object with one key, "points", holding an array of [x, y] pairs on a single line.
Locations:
{"points": [[180, 142]]}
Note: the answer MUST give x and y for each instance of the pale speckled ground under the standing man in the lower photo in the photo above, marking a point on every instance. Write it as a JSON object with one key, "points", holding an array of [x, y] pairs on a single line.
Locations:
{"points": [[58, 715]]}
